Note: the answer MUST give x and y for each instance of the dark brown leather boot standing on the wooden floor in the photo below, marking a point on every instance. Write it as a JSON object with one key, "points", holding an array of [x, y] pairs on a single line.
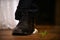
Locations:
{"points": [[25, 25]]}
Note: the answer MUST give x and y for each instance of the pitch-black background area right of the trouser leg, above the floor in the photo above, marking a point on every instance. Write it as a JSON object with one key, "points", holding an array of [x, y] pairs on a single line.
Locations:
{"points": [[46, 13]]}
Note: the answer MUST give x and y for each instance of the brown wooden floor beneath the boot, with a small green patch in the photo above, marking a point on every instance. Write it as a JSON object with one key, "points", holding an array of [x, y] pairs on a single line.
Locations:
{"points": [[46, 32]]}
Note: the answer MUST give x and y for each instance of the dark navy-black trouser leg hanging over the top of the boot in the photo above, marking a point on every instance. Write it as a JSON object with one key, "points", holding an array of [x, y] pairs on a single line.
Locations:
{"points": [[29, 6]]}
